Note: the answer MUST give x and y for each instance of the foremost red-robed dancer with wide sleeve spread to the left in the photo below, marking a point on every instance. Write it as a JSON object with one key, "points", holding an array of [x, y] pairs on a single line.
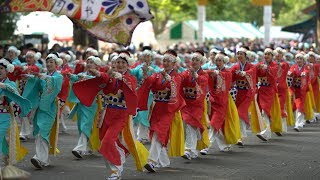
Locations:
{"points": [[119, 88]]}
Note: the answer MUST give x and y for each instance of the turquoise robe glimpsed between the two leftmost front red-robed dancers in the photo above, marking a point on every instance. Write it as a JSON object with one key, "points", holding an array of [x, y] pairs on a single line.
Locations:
{"points": [[142, 116]]}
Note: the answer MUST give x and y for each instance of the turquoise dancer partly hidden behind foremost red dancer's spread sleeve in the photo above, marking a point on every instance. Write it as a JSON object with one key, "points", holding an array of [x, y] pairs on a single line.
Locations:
{"points": [[85, 115]]}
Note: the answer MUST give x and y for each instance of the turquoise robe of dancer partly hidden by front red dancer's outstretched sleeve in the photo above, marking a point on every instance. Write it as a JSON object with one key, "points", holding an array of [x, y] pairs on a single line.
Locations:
{"points": [[85, 115]]}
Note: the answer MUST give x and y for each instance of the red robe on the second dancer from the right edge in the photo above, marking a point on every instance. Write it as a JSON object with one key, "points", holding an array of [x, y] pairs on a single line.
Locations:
{"points": [[299, 86]]}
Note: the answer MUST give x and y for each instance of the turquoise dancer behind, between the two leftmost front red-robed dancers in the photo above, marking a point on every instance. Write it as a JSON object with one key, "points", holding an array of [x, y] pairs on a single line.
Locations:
{"points": [[147, 68]]}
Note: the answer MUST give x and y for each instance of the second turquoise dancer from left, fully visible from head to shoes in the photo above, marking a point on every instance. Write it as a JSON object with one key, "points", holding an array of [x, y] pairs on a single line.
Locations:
{"points": [[48, 86]]}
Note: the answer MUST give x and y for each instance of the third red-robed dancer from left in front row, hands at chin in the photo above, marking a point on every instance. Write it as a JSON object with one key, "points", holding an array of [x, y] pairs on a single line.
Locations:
{"points": [[194, 84]]}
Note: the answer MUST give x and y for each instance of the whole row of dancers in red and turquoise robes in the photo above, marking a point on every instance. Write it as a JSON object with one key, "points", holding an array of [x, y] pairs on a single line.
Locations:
{"points": [[178, 104]]}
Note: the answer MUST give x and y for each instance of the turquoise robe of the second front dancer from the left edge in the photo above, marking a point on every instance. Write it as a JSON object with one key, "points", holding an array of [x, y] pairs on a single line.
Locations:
{"points": [[48, 89]]}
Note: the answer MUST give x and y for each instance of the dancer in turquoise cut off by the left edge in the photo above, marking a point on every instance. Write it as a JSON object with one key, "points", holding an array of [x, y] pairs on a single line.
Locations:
{"points": [[8, 95]]}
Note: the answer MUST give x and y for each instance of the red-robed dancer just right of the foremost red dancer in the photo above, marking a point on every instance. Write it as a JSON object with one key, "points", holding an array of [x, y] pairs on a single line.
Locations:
{"points": [[165, 86]]}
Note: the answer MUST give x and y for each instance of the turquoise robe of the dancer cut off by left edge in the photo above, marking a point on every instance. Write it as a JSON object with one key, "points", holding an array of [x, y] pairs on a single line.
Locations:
{"points": [[8, 95]]}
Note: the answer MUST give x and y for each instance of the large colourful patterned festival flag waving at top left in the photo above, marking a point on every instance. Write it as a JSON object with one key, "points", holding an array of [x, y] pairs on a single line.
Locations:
{"points": [[107, 20]]}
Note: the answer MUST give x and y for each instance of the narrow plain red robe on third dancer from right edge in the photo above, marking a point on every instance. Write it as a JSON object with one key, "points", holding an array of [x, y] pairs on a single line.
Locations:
{"points": [[282, 86]]}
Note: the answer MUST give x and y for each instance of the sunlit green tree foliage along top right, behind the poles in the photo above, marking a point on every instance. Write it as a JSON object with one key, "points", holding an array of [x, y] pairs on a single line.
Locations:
{"points": [[285, 12]]}
